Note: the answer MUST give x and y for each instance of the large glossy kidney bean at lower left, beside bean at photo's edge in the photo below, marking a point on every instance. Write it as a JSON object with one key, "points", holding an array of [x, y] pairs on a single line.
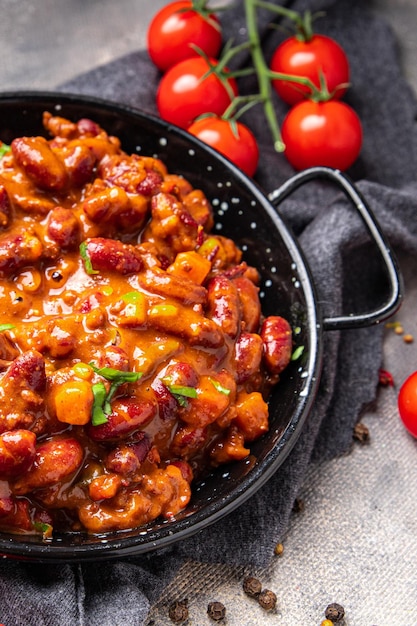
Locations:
{"points": [[56, 459]]}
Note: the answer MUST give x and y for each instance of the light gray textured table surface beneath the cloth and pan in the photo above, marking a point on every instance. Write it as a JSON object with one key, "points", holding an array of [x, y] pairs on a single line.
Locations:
{"points": [[356, 540]]}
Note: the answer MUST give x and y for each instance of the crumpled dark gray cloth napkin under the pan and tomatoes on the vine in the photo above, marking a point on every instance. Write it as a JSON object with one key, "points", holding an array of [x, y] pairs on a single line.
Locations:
{"points": [[346, 274]]}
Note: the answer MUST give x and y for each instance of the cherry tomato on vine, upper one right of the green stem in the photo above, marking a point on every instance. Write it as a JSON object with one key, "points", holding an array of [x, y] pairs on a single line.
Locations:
{"points": [[308, 59]]}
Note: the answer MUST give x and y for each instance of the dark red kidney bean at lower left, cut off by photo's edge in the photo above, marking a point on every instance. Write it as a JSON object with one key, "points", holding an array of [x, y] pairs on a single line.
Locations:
{"points": [[17, 452]]}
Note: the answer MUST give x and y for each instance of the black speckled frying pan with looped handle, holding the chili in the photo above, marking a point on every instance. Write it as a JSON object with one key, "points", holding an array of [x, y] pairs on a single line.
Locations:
{"points": [[244, 213]]}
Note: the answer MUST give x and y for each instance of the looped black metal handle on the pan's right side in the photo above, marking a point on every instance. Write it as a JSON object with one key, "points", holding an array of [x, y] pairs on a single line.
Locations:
{"points": [[393, 302]]}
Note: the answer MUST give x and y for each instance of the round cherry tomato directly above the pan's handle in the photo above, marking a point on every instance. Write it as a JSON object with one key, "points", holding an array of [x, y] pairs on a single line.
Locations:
{"points": [[322, 133]]}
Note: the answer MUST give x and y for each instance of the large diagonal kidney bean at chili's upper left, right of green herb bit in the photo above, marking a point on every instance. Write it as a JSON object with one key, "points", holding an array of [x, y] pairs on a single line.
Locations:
{"points": [[36, 158]]}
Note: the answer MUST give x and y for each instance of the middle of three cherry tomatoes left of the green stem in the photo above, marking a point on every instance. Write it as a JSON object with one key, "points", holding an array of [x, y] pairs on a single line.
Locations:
{"points": [[185, 92]]}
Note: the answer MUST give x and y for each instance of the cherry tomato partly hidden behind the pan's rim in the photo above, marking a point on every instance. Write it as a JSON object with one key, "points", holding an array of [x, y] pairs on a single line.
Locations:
{"points": [[234, 140]]}
